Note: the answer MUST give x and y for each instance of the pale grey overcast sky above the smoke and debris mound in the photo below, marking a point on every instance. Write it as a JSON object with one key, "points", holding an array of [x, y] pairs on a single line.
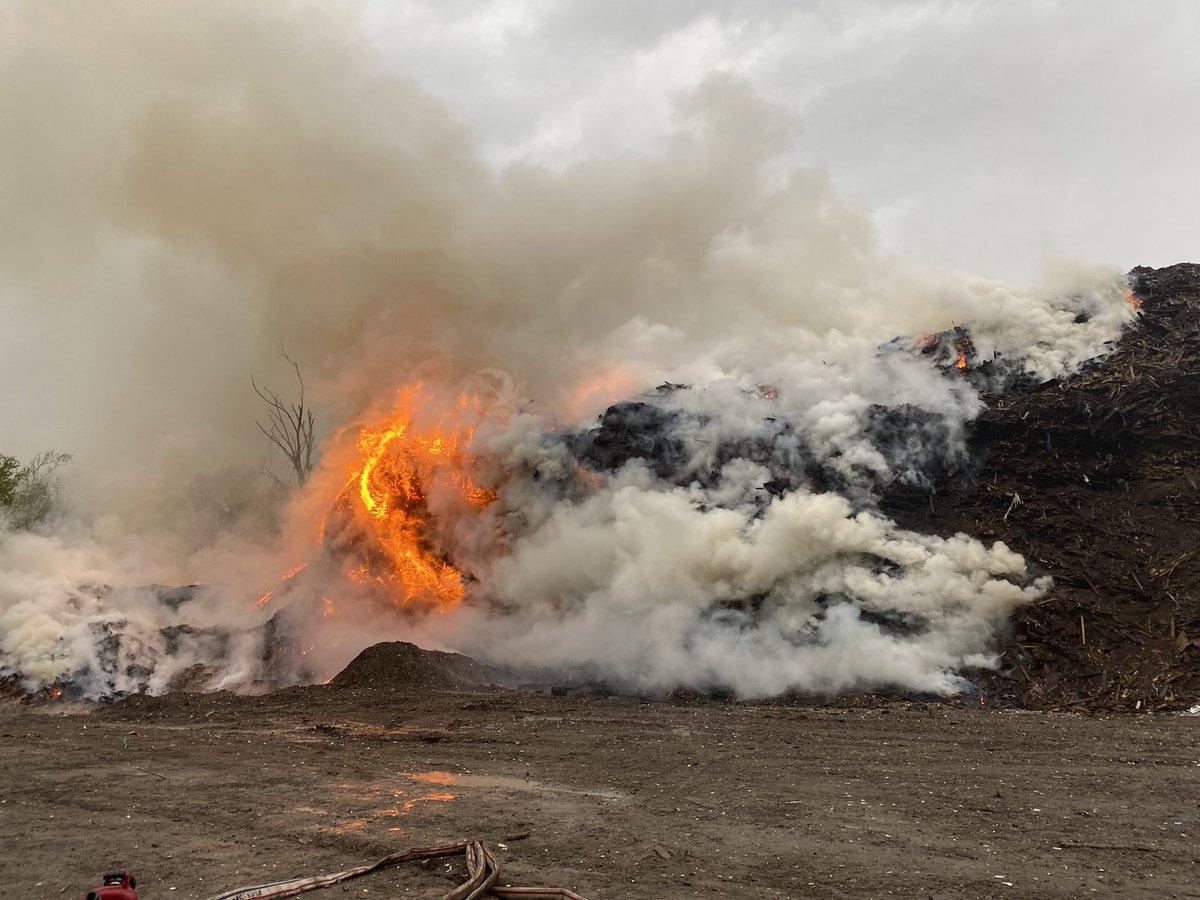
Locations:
{"points": [[986, 136]]}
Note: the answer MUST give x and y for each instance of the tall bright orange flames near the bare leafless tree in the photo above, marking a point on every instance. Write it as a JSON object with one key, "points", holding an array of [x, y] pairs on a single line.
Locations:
{"points": [[405, 465]]}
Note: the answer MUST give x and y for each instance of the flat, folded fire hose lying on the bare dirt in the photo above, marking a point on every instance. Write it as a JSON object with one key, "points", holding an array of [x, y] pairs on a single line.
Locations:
{"points": [[483, 873]]}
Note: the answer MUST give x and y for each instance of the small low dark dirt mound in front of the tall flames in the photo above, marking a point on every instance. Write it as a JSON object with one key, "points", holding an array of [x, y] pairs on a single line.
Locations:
{"points": [[399, 665]]}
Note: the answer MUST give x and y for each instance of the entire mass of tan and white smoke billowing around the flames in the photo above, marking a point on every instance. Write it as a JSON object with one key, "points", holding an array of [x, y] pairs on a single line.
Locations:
{"points": [[194, 187]]}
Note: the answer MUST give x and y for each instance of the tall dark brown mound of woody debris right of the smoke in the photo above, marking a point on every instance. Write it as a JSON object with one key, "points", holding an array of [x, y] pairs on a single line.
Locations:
{"points": [[1095, 481]]}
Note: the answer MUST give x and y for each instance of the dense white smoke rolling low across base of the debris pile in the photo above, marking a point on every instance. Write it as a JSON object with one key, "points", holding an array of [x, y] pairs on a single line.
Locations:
{"points": [[627, 585]]}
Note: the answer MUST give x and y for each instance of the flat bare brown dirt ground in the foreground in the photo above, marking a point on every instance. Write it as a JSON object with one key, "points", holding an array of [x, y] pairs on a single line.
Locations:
{"points": [[613, 797]]}
